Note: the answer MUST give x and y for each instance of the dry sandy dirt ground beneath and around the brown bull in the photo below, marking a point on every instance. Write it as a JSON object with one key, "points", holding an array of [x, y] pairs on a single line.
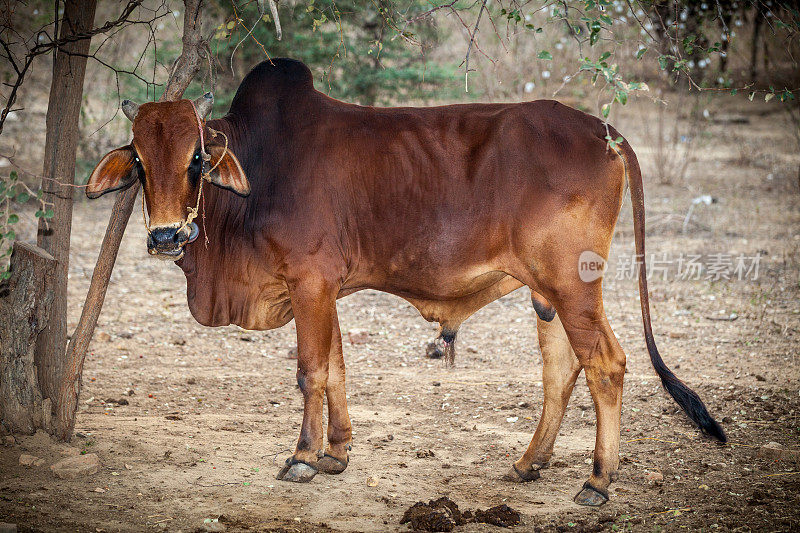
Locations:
{"points": [[211, 414]]}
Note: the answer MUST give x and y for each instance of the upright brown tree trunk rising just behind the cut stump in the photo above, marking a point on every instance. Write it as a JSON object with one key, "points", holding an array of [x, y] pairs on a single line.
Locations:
{"points": [[61, 142]]}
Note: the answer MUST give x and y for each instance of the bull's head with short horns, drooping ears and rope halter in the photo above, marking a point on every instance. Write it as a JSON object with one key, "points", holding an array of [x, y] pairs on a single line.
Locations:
{"points": [[165, 155]]}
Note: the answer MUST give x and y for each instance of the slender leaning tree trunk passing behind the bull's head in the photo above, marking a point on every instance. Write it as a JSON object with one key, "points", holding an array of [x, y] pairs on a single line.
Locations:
{"points": [[186, 66]]}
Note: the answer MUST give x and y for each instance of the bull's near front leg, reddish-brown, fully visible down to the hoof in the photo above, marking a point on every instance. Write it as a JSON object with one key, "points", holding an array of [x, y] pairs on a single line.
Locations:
{"points": [[314, 307]]}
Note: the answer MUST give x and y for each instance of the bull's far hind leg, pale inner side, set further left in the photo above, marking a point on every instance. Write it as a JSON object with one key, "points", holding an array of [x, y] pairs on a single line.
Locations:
{"points": [[559, 373]]}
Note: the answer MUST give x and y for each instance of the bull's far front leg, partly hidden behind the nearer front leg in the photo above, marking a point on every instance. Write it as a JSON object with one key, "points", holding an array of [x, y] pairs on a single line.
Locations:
{"points": [[339, 428]]}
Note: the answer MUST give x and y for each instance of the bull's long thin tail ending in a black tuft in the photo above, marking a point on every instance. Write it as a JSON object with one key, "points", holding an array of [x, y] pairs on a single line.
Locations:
{"points": [[689, 401]]}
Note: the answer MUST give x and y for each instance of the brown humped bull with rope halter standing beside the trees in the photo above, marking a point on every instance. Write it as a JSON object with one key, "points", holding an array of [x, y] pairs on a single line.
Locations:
{"points": [[447, 207]]}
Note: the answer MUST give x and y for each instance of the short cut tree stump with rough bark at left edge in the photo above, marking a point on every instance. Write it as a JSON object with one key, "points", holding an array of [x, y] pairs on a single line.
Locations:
{"points": [[24, 305]]}
